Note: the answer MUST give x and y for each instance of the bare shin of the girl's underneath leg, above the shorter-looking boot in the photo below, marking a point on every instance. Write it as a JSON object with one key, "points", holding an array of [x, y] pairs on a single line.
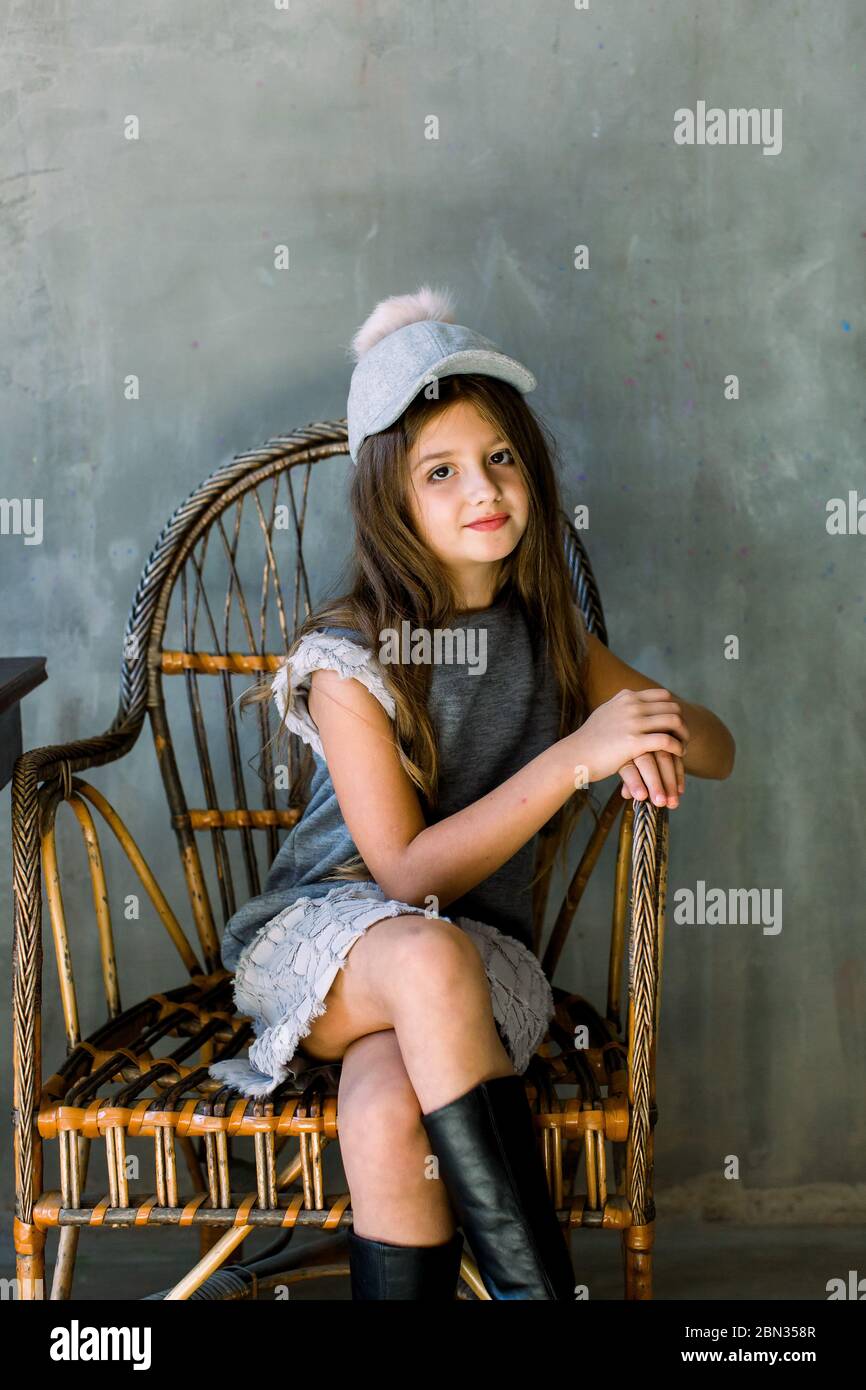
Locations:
{"points": [[386, 1150]]}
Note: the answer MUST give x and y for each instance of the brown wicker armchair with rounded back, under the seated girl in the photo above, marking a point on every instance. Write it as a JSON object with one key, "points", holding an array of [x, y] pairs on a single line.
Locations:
{"points": [[144, 1072]]}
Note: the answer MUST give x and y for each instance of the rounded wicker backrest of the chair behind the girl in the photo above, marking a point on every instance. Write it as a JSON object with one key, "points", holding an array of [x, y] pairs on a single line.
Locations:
{"points": [[219, 604]]}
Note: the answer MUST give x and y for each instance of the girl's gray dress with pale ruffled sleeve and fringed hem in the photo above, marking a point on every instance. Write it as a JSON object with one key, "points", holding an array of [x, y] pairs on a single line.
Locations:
{"points": [[494, 708]]}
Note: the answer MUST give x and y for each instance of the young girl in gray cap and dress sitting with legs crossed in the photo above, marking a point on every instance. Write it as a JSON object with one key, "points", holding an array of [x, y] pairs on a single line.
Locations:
{"points": [[455, 704]]}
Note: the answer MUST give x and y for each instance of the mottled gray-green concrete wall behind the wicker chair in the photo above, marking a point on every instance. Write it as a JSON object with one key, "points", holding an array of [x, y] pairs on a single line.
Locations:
{"points": [[155, 256]]}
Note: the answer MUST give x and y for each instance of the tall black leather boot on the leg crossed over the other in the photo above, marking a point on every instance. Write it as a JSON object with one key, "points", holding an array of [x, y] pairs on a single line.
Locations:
{"points": [[494, 1174]]}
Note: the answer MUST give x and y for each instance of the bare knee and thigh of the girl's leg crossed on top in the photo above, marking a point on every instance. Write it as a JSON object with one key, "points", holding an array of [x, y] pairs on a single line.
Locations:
{"points": [[425, 979]]}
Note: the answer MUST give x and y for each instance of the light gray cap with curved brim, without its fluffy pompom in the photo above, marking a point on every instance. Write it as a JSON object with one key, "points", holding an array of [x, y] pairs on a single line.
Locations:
{"points": [[391, 373]]}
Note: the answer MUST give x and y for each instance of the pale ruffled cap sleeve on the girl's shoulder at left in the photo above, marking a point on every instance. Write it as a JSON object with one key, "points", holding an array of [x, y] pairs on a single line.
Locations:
{"points": [[320, 651]]}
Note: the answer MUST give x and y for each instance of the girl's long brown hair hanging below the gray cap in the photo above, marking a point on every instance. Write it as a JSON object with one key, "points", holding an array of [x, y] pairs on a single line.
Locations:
{"points": [[395, 578]]}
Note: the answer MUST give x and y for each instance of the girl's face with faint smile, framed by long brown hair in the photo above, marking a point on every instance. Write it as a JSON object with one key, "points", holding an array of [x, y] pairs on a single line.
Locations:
{"points": [[461, 472]]}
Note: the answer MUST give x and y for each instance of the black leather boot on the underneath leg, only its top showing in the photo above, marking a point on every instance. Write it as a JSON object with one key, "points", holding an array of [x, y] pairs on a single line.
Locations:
{"points": [[380, 1270]]}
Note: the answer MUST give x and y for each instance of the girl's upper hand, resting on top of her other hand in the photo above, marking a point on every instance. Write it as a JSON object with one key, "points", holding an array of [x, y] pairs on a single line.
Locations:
{"points": [[625, 729]]}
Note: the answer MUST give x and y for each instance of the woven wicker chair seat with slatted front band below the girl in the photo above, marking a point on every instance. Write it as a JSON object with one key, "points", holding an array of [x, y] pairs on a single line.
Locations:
{"points": [[116, 1088]]}
